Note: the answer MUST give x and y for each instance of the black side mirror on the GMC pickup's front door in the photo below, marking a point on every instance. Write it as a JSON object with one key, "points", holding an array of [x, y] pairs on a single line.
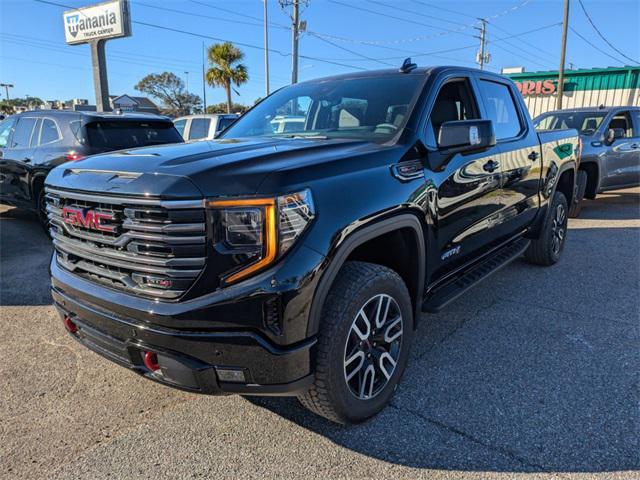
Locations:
{"points": [[466, 136]]}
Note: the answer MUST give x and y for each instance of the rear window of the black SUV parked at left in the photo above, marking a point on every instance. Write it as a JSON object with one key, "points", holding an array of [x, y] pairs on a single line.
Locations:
{"points": [[117, 135]]}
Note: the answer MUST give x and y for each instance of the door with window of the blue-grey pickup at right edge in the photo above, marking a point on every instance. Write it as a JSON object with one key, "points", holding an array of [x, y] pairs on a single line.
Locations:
{"points": [[622, 157]]}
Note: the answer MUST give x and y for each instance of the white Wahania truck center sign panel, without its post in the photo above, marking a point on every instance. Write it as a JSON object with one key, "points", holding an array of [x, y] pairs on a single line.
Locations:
{"points": [[101, 21]]}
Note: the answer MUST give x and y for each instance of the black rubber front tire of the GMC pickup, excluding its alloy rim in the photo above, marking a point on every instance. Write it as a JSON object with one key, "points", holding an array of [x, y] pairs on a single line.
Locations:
{"points": [[330, 395]]}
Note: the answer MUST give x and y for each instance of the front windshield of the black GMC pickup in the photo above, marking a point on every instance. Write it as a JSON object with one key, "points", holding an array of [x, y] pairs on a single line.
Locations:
{"points": [[372, 108]]}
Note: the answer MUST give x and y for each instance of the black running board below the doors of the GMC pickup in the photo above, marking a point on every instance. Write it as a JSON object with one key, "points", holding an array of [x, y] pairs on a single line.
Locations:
{"points": [[451, 290]]}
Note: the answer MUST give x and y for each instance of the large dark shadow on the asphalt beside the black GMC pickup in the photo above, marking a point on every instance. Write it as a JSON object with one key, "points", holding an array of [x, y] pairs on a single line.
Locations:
{"points": [[528, 372]]}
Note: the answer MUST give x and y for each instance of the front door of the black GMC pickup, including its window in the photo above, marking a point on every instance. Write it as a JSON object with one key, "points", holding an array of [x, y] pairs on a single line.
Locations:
{"points": [[468, 185]]}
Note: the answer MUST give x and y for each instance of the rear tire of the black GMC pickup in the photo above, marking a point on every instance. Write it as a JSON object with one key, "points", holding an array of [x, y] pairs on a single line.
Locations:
{"points": [[542, 250]]}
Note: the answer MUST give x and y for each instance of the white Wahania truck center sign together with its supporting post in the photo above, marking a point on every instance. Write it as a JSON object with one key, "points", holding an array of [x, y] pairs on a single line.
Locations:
{"points": [[95, 25]]}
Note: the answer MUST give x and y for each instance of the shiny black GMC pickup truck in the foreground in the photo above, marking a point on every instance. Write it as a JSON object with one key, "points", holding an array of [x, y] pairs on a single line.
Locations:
{"points": [[298, 260]]}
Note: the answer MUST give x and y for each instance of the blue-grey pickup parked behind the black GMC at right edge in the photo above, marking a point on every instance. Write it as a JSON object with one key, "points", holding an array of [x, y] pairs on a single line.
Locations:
{"points": [[610, 157]]}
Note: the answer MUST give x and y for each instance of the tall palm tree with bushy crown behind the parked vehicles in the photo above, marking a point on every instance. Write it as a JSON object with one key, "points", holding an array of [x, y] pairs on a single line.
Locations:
{"points": [[225, 69]]}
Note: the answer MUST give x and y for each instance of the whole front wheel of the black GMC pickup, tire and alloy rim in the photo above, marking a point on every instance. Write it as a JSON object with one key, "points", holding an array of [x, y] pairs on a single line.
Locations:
{"points": [[363, 344]]}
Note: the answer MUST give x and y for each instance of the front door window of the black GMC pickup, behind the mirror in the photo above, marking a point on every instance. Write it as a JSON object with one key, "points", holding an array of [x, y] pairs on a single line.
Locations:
{"points": [[454, 102]]}
